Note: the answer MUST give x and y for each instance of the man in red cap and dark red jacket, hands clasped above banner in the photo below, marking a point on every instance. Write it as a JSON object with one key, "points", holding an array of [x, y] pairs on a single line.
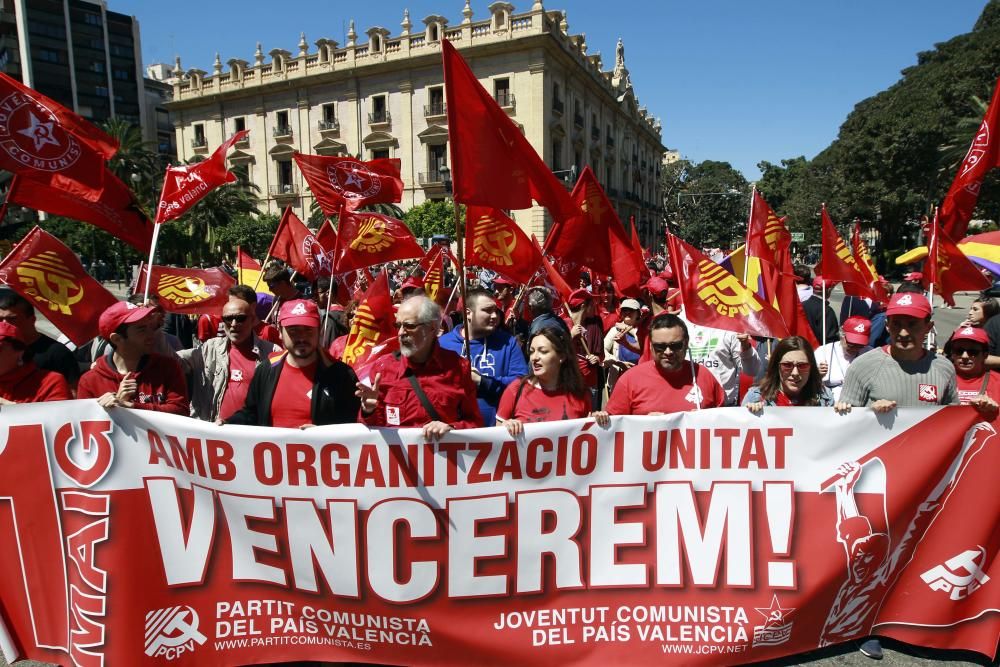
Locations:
{"points": [[133, 376]]}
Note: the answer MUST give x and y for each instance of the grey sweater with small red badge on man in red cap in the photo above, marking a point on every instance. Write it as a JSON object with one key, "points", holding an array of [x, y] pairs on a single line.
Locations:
{"points": [[877, 376]]}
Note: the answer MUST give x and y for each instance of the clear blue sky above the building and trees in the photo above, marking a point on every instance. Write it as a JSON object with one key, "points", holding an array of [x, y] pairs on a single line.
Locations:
{"points": [[731, 80]]}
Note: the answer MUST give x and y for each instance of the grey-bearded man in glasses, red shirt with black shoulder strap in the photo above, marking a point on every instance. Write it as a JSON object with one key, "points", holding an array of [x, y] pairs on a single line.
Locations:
{"points": [[424, 386]]}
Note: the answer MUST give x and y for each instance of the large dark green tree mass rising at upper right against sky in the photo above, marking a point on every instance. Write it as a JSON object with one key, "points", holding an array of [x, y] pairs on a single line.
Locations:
{"points": [[885, 166]]}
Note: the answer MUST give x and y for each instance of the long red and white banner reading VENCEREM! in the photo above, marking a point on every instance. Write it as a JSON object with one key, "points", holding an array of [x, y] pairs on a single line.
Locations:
{"points": [[714, 537]]}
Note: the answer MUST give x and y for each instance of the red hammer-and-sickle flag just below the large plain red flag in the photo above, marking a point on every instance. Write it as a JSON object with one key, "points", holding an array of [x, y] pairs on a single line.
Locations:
{"points": [[495, 241]]}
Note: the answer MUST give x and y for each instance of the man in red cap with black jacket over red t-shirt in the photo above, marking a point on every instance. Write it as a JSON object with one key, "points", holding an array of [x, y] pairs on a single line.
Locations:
{"points": [[302, 386]]}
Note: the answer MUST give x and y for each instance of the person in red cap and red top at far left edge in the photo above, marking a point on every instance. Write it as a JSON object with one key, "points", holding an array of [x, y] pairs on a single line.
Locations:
{"points": [[22, 381]]}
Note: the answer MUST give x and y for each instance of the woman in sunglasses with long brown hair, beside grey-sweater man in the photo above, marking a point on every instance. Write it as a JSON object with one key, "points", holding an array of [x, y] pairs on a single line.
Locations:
{"points": [[792, 378]]}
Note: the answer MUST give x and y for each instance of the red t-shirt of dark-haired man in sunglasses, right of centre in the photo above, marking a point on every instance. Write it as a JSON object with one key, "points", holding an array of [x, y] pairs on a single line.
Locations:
{"points": [[644, 388]]}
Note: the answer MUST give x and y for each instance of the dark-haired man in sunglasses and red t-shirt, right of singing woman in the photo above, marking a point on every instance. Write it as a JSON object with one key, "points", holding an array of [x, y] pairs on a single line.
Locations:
{"points": [[670, 382]]}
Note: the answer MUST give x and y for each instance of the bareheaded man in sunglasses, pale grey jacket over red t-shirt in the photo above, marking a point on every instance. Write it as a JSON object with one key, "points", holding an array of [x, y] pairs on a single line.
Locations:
{"points": [[220, 371]]}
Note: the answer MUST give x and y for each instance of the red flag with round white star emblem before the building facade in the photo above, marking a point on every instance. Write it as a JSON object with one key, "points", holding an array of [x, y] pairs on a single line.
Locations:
{"points": [[336, 181]]}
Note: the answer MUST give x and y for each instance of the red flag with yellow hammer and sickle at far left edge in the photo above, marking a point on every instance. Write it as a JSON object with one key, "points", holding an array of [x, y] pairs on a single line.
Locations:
{"points": [[49, 275]]}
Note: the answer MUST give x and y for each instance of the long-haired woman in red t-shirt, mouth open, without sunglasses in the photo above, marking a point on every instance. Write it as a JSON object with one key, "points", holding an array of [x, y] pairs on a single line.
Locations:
{"points": [[553, 390]]}
